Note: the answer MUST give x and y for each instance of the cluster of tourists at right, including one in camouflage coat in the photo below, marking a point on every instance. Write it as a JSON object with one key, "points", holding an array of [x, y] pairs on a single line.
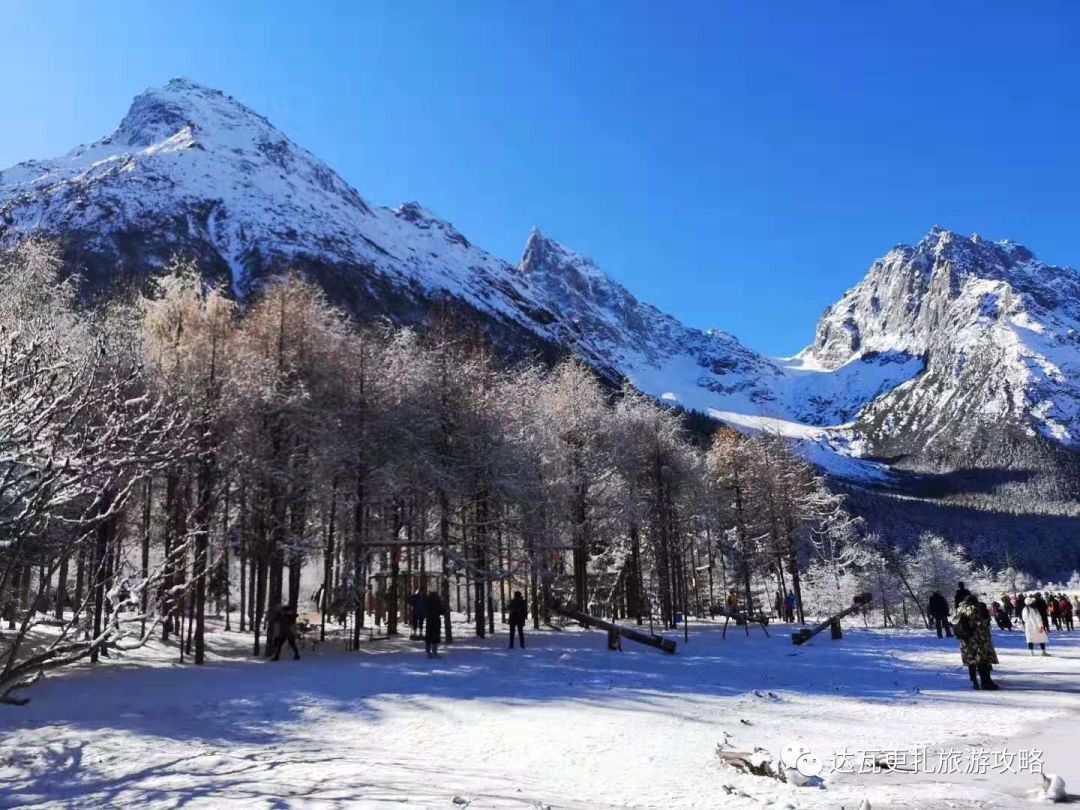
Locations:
{"points": [[970, 624]]}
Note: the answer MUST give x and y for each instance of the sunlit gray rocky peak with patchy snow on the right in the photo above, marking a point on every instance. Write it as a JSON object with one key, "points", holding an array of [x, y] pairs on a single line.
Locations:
{"points": [[1001, 335]]}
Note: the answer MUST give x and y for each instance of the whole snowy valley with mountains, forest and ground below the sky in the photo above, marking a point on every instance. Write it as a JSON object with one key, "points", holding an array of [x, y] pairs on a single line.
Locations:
{"points": [[714, 556]]}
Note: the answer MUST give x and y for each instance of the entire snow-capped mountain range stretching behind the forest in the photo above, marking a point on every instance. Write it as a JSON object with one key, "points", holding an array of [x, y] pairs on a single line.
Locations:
{"points": [[937, 349]]}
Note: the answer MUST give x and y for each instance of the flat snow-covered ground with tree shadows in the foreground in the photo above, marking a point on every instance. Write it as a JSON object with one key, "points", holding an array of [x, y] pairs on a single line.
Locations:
{"points": [[564, 724]]}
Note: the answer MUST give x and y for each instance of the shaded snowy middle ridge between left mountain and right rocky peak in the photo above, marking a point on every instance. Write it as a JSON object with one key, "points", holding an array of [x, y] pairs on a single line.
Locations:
{"points": [[711, 371]]}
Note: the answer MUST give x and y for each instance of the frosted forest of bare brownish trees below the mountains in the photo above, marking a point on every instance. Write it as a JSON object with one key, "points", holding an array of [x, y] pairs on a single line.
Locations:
{"points": [[169, 457]]}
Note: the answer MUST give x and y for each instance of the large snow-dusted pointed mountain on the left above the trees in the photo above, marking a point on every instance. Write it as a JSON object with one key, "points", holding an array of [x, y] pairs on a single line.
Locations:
{"points": [[192, 170]]}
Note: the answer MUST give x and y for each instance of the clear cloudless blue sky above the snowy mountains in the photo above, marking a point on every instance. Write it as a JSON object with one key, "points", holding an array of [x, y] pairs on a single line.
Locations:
{"points": [[739, 165]]}
